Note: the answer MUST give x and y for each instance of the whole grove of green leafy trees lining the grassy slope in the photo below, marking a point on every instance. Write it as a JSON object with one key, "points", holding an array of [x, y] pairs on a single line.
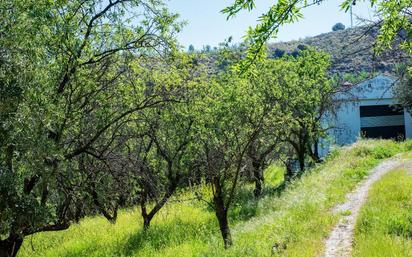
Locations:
{"points": [[99, 110]]}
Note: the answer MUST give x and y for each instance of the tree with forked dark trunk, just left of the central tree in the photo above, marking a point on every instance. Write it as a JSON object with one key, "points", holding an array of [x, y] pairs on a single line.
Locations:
{"points": [[161, 150]]}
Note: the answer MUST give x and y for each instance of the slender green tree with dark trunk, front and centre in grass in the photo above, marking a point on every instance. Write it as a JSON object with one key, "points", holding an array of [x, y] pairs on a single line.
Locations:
{"points": [[224, 136]]}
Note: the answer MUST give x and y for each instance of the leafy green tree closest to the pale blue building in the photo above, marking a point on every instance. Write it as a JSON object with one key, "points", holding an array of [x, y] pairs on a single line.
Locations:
{"points": [[307, 97]]}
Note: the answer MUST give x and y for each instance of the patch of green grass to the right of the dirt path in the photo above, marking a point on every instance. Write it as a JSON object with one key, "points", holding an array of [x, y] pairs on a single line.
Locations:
{"points": [[384, 226]]}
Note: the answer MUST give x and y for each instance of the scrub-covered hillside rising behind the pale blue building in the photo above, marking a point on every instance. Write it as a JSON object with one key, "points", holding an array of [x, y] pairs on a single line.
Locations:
{"points": [[351, 50]]}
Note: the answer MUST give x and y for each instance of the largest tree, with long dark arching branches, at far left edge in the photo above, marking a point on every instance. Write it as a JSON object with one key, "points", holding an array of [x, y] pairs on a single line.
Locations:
{"points": [[72, 94]]}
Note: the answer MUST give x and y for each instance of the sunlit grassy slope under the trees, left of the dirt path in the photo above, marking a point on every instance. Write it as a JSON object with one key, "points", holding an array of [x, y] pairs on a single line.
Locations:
{"points": [[293, 223]]}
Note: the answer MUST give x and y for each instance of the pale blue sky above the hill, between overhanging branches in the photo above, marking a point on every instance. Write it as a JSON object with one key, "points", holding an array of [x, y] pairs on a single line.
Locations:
{"points": [[207, 26]]}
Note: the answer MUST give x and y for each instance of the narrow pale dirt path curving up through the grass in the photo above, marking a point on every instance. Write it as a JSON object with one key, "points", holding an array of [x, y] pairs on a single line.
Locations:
{"points": [[339, 242]]}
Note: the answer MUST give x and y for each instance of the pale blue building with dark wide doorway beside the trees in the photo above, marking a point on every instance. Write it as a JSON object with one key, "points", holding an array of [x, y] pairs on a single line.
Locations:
{"points": [[368, 110]]}
